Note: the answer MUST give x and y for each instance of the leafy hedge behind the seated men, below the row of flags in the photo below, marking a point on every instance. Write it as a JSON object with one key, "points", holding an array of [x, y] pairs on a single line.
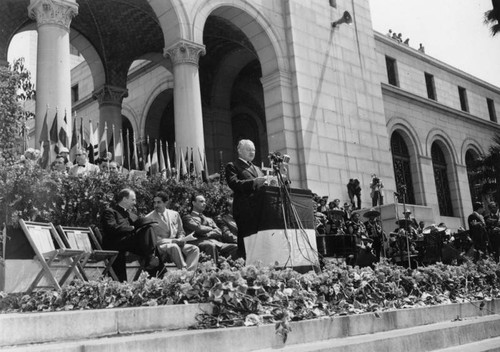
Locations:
{"points": [[78, 201]]}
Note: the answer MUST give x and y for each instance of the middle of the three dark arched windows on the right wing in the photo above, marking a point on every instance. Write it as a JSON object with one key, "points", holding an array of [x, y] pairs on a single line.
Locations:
{"points": [[441, 180]]}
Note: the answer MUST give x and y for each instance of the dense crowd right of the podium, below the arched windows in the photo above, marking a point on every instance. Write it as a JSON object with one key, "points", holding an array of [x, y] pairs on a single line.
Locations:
{"points": [[410, 238]]}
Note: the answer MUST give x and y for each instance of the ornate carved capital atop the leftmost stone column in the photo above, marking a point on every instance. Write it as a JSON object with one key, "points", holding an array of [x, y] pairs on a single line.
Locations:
{"points": [[56, 12]]}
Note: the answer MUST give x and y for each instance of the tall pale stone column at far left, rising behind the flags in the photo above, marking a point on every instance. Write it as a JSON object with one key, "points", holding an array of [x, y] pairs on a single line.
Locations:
{"points": [[53, 72]]}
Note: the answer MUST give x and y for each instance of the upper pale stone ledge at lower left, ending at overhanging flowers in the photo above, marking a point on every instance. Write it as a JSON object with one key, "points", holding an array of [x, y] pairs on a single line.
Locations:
{"points": [[25, 328]]}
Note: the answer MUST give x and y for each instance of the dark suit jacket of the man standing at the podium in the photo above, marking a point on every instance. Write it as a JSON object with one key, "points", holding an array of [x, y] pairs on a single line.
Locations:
{"points": [[241, 179]]}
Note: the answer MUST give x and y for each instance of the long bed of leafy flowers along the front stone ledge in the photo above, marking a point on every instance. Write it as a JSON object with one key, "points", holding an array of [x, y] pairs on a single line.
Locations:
{"points": [[251, 295]]}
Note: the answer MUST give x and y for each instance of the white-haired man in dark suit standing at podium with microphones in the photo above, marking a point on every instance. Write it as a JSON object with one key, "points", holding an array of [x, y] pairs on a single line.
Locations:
{"points": [[245, 178]]}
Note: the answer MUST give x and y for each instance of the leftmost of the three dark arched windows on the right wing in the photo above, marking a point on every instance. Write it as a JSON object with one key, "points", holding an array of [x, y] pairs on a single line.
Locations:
{"points": [[402, 171]]}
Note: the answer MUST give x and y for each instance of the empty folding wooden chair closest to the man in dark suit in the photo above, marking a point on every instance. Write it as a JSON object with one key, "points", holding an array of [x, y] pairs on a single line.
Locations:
{"points": [[83, 238]]}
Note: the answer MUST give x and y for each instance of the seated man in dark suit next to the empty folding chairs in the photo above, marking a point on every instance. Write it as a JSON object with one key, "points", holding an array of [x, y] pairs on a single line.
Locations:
{"points": [[125, 232]]}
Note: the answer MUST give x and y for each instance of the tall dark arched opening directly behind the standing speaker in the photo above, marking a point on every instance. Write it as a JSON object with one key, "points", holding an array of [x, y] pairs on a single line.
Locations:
{"points": [[232, 92]]}
